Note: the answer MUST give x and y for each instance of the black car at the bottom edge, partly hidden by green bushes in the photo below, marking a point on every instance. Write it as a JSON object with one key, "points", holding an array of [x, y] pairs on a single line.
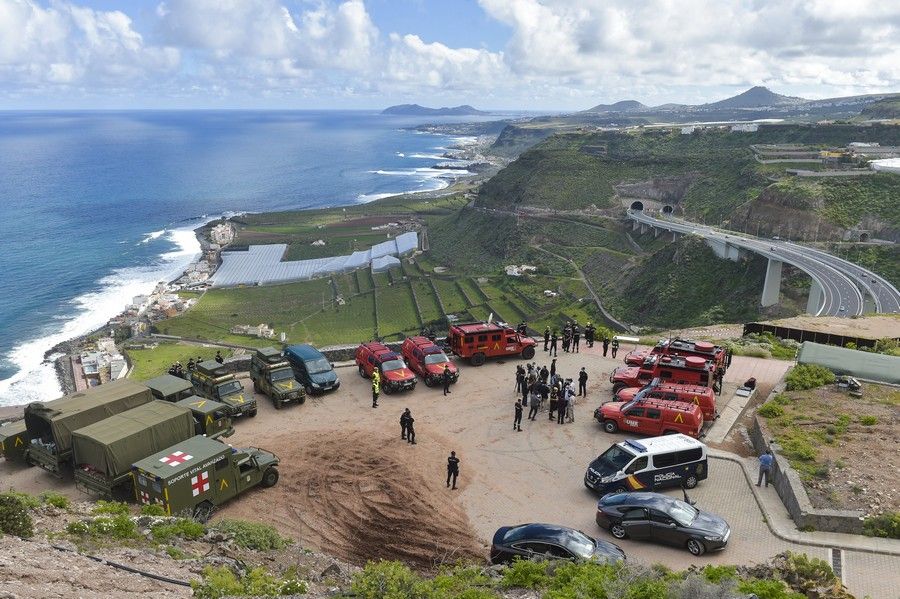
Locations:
{"points": [[549, 540]]}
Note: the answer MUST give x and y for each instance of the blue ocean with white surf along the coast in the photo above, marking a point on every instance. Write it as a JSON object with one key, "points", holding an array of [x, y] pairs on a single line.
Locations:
{"points": [[97, 207]]}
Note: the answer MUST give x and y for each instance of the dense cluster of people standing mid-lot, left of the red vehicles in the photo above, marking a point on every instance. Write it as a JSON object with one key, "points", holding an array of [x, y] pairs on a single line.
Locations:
{"points": [[545, 385]]}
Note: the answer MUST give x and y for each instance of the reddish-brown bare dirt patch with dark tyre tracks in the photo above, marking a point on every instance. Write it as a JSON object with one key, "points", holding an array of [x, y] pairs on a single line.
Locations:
{"points": [[364, 500]]}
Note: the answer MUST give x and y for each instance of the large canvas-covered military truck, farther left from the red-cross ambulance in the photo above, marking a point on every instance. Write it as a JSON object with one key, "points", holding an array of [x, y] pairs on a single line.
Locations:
{"points": [[51, 424]]}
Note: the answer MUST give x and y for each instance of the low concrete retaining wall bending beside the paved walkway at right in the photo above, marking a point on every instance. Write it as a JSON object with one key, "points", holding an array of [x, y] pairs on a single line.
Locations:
{"points": [[793, 494]]}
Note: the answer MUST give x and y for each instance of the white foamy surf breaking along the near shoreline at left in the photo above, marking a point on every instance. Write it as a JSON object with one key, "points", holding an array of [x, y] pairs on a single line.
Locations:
{"points": [[36, 378]]}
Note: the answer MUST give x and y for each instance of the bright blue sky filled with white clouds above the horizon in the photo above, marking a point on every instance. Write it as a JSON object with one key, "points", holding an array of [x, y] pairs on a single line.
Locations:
{"points": [[492, 54]]}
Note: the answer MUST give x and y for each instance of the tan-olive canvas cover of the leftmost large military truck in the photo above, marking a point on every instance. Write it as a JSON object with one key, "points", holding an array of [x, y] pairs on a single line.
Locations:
{"points": [[56, 420]]}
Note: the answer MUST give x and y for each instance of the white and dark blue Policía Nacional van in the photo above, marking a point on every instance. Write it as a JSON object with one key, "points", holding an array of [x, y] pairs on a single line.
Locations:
{"points": [[648, 464]]}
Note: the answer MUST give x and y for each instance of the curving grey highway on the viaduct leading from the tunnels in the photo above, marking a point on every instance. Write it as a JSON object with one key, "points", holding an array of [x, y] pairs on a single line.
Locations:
{"points": [[843, 283]]}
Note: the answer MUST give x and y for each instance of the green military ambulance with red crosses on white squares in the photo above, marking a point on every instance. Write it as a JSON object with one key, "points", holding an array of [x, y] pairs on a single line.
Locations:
{"points": [[200, 474]]}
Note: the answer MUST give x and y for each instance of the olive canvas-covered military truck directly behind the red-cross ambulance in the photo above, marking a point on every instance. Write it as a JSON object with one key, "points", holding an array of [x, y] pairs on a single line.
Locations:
{"points": [[104, 451]]}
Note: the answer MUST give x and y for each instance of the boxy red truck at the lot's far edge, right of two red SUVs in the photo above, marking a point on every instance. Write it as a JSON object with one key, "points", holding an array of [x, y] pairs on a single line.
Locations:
{"points": [[479, 340]]}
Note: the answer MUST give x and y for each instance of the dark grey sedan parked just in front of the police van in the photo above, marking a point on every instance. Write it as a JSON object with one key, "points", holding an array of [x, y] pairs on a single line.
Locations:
{"points": [[664, 519]]}
